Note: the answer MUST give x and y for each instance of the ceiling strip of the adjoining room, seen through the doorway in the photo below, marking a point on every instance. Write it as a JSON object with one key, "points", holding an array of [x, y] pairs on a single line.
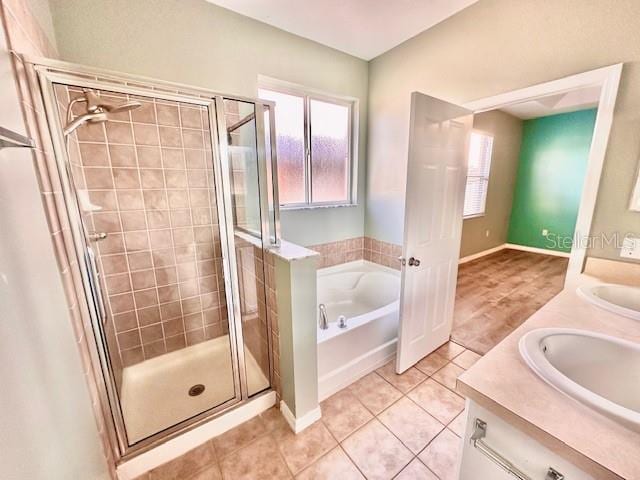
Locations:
{"points": [[572, 101]]}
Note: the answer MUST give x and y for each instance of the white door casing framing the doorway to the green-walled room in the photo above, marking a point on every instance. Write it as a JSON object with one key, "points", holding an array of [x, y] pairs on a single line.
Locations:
{"points": [[609, 79]]}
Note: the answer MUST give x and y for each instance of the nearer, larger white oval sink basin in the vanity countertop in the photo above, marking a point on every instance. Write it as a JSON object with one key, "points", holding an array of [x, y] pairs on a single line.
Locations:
{"points": [[600, 371]]}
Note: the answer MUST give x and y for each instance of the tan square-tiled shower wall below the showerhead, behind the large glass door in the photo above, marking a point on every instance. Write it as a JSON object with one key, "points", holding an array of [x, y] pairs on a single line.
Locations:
{"points": [[146, 179]]}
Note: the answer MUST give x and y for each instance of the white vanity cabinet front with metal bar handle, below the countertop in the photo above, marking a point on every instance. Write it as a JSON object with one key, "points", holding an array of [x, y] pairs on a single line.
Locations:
{"points": [[511, 445]]}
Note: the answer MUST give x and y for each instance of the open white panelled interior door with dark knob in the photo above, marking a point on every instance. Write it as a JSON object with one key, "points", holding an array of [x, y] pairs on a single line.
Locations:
{"points": [[436, 177]]}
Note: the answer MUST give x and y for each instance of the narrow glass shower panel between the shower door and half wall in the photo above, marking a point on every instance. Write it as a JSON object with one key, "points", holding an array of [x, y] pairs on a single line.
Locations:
{"points": [[245, 139]]}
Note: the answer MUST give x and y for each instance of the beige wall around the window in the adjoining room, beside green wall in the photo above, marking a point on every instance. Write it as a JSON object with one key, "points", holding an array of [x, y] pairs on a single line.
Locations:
{"points": [[507, 136]]}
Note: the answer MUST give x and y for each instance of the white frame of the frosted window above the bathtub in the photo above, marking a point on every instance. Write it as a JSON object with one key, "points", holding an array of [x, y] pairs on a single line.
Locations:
{"points": [[308, 94]]}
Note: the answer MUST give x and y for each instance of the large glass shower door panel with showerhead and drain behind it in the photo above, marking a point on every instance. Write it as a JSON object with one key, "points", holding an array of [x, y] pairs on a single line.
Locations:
{"points": [[148, 205]]}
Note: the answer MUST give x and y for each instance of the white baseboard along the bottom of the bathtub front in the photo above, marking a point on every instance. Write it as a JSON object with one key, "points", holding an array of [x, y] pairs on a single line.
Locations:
{"points": [[340, 378]]}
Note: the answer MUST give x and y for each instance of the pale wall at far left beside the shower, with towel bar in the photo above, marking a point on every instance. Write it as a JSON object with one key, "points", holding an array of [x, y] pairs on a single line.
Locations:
{"points": [[47, 428]]}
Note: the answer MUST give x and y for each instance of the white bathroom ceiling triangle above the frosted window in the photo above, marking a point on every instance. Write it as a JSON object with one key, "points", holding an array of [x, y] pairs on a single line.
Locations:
{"points": [[363, 28]]}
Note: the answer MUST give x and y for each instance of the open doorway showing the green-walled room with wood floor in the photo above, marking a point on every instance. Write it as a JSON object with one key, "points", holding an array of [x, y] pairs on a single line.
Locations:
{"points": [[526, 168]]}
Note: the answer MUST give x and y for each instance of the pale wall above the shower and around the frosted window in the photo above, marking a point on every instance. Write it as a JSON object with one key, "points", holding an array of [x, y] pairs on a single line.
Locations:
{"points": [[195, 42]]}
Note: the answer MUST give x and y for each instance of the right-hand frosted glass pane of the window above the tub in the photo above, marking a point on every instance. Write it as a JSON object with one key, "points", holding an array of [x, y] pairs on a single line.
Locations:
{"points": [[329, 152]]}
